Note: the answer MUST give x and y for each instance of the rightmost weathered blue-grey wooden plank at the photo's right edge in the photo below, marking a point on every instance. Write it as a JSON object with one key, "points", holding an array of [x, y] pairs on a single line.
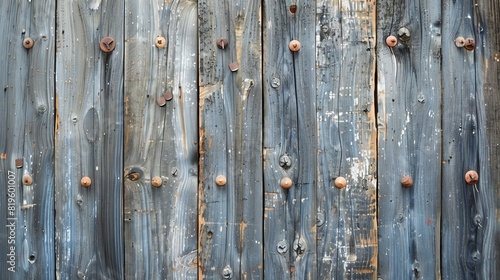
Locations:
{"points": [[470, 235]]}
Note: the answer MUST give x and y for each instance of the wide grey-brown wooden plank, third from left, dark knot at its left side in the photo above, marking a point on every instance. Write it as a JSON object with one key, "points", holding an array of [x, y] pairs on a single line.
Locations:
{"points": [[161, 223]]}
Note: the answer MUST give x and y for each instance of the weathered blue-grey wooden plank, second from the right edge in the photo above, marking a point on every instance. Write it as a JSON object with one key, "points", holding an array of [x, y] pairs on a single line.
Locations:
{"points": [[409, 122]]}
